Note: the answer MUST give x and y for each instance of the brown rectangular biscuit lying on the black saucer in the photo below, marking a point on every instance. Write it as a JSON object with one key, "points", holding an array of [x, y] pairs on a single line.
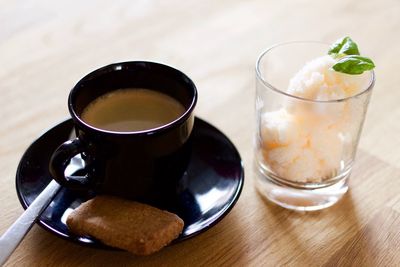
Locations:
{"points": [[135, 227]]}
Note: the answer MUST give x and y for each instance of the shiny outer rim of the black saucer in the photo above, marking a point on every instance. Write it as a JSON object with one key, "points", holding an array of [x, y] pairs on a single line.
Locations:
{"points": [[98, 244]]}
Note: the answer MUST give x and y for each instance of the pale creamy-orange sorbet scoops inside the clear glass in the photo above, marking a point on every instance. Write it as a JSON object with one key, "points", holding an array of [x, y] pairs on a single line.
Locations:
{"points": [[304, 141]]}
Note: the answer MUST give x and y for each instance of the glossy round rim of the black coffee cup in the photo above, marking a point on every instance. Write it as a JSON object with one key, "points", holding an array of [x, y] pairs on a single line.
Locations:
{"points": [[117, 67]]}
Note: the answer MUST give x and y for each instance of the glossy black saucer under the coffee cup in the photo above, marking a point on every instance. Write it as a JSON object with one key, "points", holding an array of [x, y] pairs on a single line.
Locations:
{"points": [[207, 191]]}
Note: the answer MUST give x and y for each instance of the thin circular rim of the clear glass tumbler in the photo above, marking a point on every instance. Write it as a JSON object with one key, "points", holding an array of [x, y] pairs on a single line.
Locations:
{"points": [[277, 90]]}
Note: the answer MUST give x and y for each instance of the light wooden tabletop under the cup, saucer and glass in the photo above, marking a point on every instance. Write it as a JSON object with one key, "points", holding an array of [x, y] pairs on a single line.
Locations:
{"points": [[47, 46]]}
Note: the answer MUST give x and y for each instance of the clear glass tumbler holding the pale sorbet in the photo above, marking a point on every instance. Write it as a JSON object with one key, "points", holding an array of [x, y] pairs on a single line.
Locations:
{"points": [[304, 148]]}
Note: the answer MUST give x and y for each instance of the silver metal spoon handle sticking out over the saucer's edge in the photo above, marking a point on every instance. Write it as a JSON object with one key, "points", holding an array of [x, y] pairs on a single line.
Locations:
{"points": [[14, 235]]}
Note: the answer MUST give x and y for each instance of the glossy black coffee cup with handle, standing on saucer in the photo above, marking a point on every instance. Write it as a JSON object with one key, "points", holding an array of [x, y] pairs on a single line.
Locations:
{"points": [[142, 165]]}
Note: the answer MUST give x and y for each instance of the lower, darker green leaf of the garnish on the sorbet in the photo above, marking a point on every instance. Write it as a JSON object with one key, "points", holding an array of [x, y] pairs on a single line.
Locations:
{"points": [[353, 64]]}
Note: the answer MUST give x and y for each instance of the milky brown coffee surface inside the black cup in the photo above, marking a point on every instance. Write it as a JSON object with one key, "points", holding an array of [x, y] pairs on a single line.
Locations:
{"points": [[132, 109]]}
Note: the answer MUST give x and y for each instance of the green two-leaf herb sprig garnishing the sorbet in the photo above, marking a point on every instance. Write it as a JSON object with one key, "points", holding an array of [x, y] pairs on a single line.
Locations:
{"points": [[349, 59]]}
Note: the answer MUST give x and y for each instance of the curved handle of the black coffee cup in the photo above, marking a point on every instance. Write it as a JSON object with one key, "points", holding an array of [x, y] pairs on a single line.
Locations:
{"points": [[60, 160]]}
